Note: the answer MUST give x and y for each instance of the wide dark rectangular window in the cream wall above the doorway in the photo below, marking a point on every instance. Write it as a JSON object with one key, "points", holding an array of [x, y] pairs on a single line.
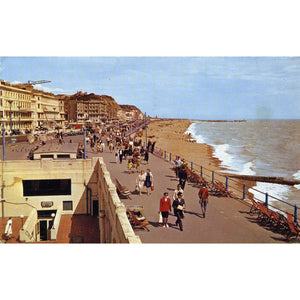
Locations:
{"points": [[47, 187]]}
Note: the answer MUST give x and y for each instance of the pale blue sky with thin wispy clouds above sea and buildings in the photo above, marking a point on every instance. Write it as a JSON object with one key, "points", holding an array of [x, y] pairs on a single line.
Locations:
{"points": [[174, 87]]}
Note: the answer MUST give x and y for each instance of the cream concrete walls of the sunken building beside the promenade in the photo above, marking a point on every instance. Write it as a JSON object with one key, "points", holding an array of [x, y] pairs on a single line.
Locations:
{"points": [[90, 181]]}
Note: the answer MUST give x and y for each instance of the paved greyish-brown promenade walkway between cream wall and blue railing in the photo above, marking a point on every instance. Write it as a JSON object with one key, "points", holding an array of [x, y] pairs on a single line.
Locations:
{"points": [[227, 220]]}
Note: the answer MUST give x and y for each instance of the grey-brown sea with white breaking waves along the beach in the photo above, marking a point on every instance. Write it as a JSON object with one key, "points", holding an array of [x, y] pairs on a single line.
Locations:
{"points": [[256, 147]]}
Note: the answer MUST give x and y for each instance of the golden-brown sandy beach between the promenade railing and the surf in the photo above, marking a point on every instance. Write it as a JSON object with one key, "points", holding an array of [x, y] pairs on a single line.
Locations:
{"points": [[169, 135]]}
